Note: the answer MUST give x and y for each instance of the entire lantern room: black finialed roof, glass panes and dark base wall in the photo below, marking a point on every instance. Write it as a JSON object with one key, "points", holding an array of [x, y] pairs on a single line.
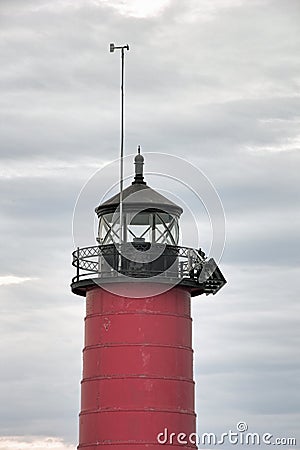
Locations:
{"points": [[145, 242]]}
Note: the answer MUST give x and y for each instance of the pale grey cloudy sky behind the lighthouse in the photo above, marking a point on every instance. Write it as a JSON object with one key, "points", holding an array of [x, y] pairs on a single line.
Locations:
{"points": [[216, 83]]}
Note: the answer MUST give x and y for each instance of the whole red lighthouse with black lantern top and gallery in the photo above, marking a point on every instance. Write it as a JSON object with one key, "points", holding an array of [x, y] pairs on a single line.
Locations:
{"points": [[137, 388]]}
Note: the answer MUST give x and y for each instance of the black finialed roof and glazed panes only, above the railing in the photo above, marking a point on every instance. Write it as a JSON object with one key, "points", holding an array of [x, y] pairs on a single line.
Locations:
{"points": [[147, 216]]}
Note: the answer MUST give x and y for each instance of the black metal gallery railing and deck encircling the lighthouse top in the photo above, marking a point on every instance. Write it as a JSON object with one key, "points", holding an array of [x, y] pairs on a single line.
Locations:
{"points": [[143, 260]]}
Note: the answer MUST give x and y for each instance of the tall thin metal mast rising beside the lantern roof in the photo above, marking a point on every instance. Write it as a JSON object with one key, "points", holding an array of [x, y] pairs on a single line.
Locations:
{"points": [[112, 48]]}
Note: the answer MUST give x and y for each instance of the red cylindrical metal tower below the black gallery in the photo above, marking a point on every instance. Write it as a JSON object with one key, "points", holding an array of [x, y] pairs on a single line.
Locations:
{"points": [[137, 369]]}
